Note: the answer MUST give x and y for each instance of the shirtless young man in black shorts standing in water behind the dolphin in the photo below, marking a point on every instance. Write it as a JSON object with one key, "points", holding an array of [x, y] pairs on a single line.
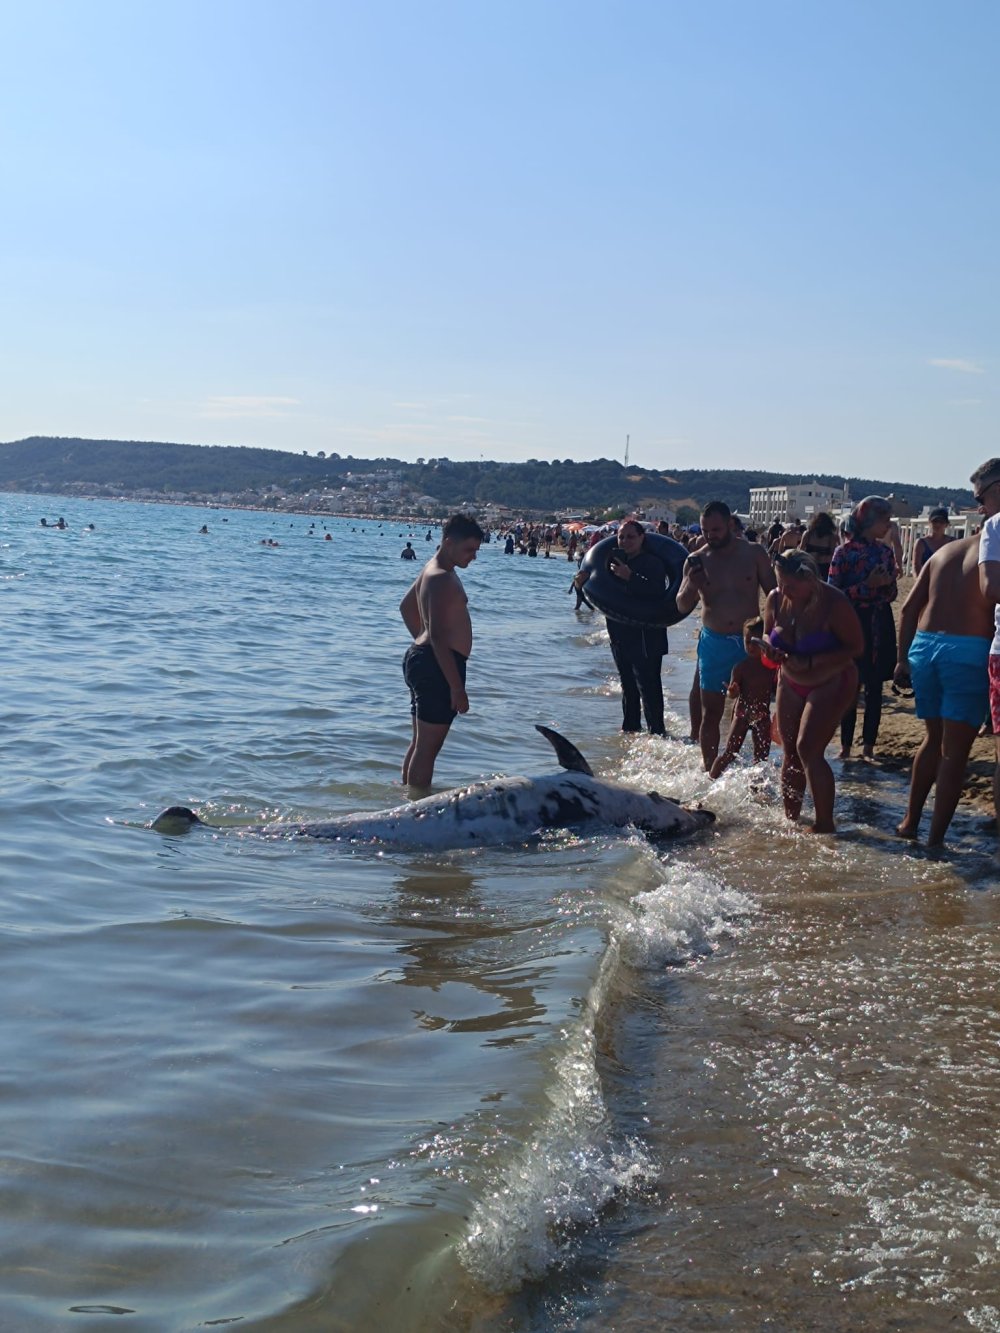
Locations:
{"points": [[437, 614]]}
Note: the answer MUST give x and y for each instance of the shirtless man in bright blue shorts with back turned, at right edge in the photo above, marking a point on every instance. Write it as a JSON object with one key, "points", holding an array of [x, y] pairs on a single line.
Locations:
{"points": [[945, 635]]}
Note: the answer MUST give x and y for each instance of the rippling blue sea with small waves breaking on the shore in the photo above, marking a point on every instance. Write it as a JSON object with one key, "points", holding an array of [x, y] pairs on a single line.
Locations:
{"points": [[750, 1082]]}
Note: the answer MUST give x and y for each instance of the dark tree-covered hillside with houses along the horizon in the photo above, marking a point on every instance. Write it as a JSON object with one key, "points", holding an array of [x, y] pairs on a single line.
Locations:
{"points": [[43, 463]]}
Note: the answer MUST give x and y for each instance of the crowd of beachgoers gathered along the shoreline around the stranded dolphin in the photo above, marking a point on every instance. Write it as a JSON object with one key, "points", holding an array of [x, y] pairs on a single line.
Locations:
{"points": [[799, 618]]}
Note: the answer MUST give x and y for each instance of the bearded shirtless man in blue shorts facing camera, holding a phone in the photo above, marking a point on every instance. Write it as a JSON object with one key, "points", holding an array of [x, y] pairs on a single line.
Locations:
{"points": [[727, 577]]}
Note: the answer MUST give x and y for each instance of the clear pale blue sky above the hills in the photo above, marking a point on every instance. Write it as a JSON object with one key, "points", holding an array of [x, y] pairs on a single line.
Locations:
{"points": [[733, 235]]}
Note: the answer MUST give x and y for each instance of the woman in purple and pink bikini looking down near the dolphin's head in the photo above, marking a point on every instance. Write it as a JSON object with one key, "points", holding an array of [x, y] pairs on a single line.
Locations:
{"points": [[814, 638]]}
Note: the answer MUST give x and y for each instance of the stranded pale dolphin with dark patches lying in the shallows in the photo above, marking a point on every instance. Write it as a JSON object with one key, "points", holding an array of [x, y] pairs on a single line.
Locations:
{"points": [[506, 810]]}
